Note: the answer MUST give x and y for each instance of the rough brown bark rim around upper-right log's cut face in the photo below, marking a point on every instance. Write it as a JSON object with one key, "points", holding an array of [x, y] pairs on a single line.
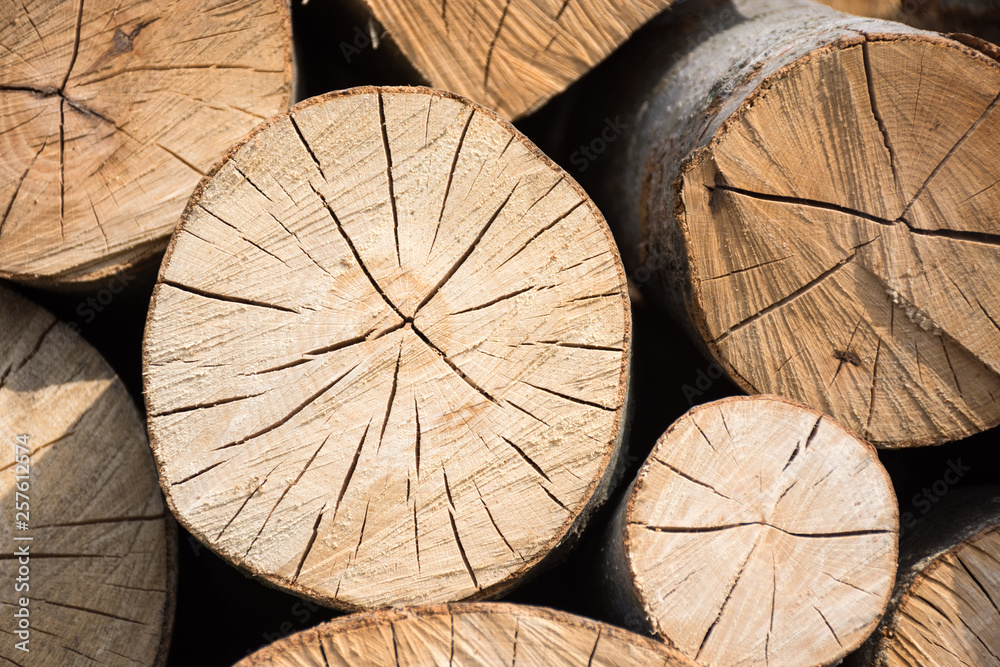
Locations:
{"points": [[696, 313]]}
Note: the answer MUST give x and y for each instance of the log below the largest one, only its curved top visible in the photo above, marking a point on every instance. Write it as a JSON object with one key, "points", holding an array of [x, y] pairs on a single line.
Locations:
{"points": [[483, 635]]}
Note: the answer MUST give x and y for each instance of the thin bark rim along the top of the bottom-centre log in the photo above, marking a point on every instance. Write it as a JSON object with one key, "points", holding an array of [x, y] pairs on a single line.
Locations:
{"points": [[367, 619]]}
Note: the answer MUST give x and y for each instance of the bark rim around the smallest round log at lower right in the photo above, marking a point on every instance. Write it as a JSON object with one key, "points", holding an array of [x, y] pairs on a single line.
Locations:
{"points": [[626, 594]]}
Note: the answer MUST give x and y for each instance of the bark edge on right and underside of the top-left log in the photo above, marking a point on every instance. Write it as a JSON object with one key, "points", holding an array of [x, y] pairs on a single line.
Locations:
{"points": [[85, 277]]}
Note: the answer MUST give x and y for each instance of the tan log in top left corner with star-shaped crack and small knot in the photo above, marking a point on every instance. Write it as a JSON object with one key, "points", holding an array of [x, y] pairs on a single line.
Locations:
{"points": [[110, 113]]}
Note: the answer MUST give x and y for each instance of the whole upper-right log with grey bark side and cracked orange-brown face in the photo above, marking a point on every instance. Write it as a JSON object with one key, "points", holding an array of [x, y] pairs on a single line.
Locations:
{"points": [[815, 197]]}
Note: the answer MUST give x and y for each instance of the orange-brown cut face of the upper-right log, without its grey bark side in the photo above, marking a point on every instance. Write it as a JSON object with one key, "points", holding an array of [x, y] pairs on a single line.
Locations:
{"points": [[862, 191]]}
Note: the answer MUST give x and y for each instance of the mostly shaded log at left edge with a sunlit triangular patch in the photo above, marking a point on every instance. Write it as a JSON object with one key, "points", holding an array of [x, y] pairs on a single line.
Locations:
{"points": [[102, 549]]}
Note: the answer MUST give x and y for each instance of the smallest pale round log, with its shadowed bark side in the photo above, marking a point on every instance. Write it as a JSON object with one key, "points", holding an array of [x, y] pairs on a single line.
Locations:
{"points": [[757, 532]]}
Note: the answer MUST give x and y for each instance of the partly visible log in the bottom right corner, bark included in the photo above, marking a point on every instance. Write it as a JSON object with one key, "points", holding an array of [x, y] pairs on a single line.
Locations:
{"points": [[944, 610]]}
